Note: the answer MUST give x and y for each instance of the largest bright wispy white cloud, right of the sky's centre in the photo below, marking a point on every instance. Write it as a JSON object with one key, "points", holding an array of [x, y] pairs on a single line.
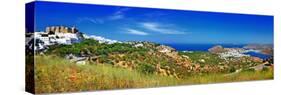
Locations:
{"points": [[164, 29]]}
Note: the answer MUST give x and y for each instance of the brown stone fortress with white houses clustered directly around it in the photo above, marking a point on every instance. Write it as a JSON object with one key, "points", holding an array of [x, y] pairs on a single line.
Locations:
{"points": [[53, 35]]}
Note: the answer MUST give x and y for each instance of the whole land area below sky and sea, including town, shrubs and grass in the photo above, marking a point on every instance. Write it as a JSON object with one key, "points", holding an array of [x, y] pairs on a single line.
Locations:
{"points": [[97, 63]]}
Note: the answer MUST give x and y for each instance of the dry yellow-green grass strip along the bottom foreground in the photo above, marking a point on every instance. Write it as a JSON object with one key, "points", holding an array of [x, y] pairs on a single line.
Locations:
{"points": [[54, 74]]}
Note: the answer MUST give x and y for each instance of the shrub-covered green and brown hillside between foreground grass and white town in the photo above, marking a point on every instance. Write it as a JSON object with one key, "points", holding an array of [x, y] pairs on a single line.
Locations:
{"points": [[152, 58]]}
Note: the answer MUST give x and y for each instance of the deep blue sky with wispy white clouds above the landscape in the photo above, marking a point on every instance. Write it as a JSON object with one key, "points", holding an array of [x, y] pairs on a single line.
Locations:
{"points": [[156, 25]]}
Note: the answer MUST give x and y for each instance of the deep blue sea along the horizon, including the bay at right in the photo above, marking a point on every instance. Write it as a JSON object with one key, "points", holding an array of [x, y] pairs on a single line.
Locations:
{"points": [[205, 47]]}
